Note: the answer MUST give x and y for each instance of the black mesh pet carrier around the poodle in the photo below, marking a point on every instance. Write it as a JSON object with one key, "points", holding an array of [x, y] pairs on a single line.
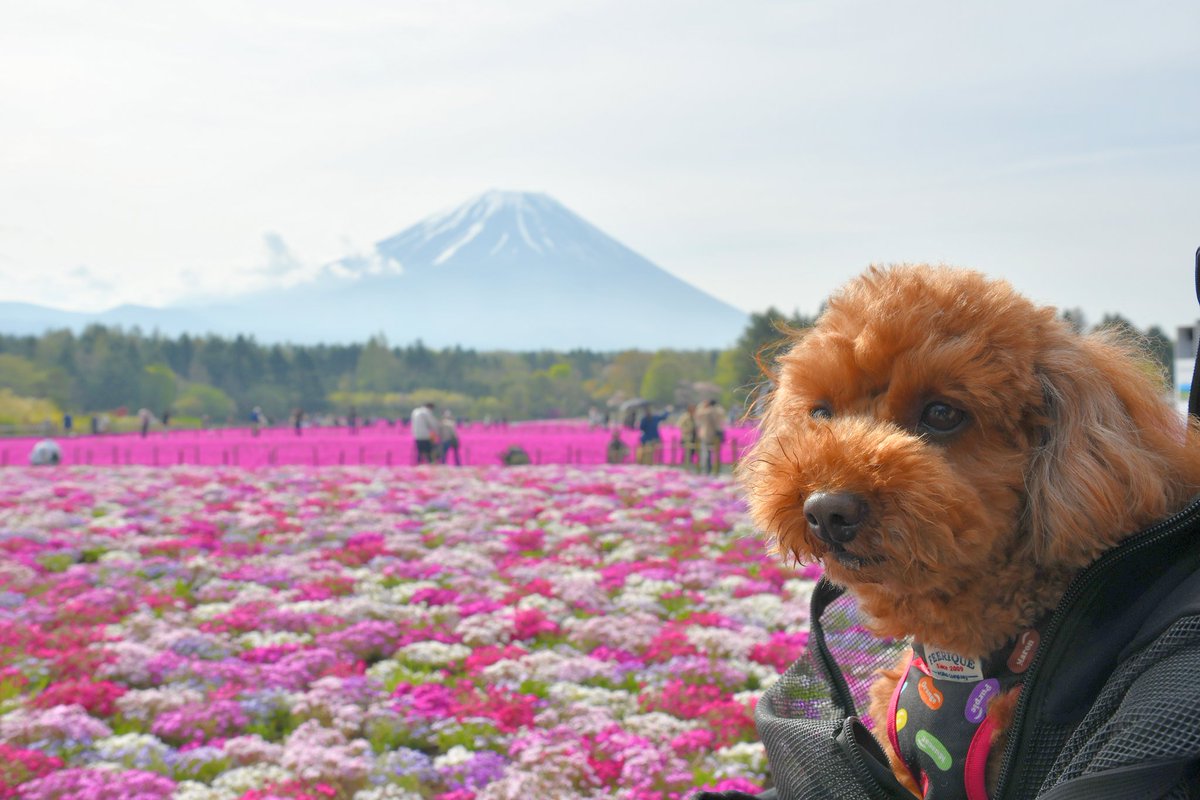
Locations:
{"points": [[1111, 708]]}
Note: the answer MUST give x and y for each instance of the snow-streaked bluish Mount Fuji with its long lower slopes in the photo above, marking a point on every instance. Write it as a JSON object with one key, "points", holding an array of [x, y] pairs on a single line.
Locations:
{"points": [[505, 272]]}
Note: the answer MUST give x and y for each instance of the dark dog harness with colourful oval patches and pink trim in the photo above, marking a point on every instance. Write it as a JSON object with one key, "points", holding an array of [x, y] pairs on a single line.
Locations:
{"points": [[938, 719]]}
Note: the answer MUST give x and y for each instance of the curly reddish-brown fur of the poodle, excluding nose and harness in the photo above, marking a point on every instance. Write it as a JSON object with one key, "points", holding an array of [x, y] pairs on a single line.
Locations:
{"points": [[1067, 446]]}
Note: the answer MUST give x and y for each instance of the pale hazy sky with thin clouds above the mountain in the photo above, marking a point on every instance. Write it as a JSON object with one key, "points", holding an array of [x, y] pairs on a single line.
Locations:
{"points": [[765, 152]]}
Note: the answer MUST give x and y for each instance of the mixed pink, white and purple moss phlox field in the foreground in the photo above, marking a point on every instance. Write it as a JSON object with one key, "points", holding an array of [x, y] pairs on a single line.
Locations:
{"points": [[368, 634]]}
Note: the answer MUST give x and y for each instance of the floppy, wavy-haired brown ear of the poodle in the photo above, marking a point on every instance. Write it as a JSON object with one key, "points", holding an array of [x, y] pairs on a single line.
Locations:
{"points": [[1109, 450]]}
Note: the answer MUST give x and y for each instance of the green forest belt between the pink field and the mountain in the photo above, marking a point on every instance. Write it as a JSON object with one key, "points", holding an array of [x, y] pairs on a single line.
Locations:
{"points": [[219, 381]]}
